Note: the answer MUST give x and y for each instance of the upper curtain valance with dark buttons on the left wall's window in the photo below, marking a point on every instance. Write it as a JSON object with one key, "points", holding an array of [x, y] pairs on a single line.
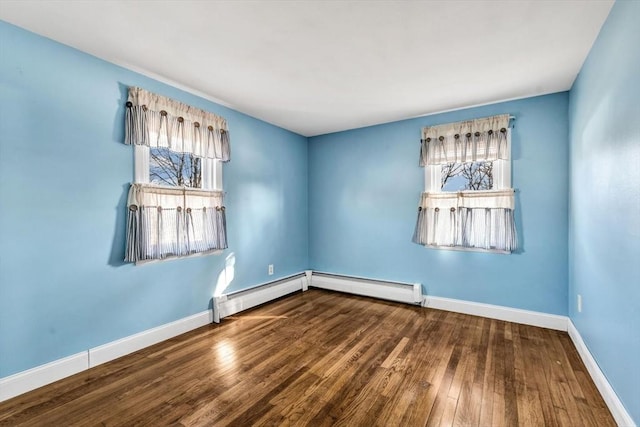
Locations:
{"points": [[157, 121]]}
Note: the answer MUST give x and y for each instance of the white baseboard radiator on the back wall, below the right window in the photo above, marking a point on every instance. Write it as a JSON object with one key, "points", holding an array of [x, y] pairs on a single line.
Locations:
{"points": [[410, 293]]}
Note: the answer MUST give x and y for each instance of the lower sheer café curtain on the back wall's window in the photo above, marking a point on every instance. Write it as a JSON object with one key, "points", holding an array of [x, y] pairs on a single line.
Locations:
{"points": [[478, 219]]}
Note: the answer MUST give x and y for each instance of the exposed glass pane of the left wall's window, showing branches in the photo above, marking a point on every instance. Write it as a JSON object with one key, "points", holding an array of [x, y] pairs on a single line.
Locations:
{"points": [[175, 169]]}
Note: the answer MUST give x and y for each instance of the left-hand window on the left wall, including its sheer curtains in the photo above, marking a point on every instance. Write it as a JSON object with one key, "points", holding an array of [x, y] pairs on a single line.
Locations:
{"points": [[176, 201]]}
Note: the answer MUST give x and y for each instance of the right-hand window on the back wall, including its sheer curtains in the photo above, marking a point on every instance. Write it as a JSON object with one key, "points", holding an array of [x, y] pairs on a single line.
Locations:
{"points": [[468, 201]]}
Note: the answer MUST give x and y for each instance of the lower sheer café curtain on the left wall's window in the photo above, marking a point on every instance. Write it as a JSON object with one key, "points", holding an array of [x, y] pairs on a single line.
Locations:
{"points": [[169, 222]]}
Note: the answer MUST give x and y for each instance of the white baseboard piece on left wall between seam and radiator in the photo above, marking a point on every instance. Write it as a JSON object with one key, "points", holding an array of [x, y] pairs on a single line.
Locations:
{"points": [[113, 350]]}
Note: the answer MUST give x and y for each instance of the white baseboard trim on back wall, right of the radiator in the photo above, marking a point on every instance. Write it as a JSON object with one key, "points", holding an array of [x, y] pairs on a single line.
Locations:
{"points": [[525, 317]]}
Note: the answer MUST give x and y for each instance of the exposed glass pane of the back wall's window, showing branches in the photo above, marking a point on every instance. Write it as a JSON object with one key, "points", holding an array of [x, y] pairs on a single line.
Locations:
{"points": [[467, 176]]}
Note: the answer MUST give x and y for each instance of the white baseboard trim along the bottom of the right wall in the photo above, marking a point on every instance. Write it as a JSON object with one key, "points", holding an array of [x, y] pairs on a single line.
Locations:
{"points": [[609, 395]]}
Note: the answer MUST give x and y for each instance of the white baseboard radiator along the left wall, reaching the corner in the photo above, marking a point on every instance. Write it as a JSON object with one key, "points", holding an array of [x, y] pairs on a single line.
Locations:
{"points": [[229, 304]]}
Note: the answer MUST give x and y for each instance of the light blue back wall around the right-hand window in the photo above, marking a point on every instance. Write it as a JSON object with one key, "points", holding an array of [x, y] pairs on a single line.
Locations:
{"points": [[364, 188]]}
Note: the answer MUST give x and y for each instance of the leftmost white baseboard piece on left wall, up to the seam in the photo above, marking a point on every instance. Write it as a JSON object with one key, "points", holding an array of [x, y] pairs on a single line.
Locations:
{"points": [[22, 382]]}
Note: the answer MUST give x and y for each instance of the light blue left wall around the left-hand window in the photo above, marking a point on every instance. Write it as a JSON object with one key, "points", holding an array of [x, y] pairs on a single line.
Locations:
{"points": [[64, 172]]}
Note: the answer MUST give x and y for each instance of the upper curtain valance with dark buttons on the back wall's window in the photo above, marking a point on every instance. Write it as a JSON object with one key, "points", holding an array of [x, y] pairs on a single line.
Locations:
{"points": [[469, 141]]}
